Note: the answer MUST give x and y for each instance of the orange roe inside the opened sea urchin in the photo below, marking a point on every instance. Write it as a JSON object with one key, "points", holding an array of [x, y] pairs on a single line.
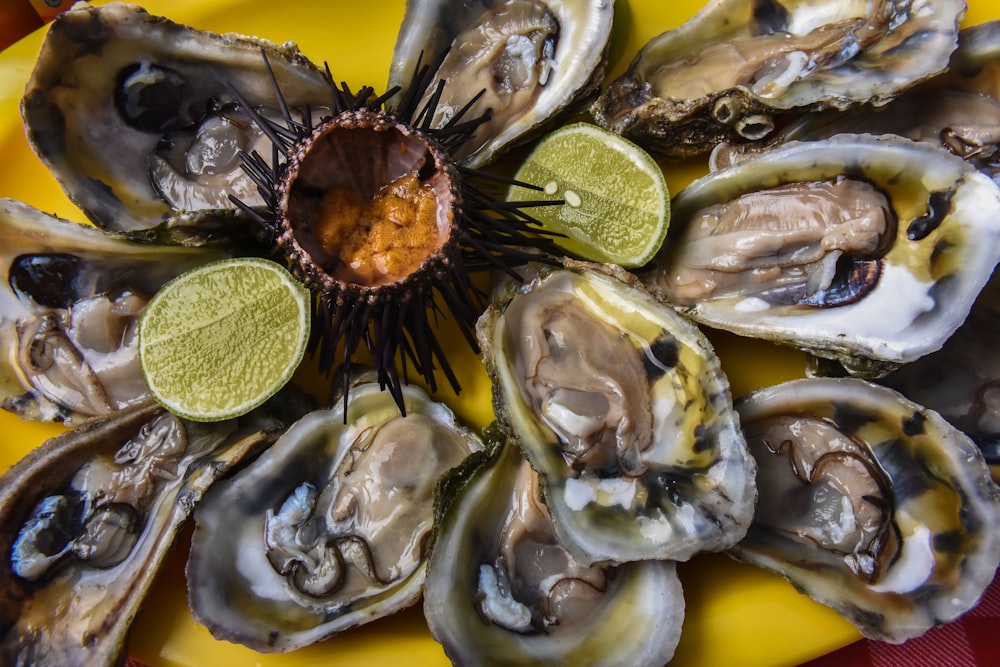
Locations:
{"points": [[382, 238]]}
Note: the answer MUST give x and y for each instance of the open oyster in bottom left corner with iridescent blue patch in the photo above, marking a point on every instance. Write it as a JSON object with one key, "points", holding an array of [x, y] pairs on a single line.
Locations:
{"points": [[89, 516]]}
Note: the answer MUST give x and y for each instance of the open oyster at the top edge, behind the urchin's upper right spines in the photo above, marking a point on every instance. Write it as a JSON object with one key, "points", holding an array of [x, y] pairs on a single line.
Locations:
{"points": [[526, 61]]}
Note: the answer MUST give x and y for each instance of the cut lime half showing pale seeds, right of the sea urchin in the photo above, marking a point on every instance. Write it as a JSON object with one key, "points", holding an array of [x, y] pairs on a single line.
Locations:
{"points": [[616, 208]]}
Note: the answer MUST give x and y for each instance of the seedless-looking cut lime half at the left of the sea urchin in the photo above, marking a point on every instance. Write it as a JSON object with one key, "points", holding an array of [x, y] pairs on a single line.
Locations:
{"points": [[219, 340]]}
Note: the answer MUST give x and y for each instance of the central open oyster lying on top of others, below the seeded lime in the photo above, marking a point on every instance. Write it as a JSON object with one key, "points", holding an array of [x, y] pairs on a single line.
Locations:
{"points": [[622, 407]]}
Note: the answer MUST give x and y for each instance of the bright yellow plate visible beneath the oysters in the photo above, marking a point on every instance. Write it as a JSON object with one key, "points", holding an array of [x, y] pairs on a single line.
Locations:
{"points": [[736, 615]]}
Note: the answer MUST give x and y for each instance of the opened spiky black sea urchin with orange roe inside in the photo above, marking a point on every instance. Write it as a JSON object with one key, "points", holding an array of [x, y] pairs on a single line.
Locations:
{"points": [[369, 209]]}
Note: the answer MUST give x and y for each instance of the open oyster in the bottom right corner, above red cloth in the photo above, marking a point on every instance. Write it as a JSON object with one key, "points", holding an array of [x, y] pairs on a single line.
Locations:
{"points": [[870, 504]]}
